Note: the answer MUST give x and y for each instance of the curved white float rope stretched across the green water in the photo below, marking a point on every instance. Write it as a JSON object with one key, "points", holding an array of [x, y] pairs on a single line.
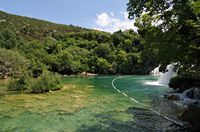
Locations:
{"points": [[134, 100]]}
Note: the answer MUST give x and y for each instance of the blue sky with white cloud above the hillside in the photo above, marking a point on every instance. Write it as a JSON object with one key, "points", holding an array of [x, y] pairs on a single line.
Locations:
{"points": [[106, 15]]}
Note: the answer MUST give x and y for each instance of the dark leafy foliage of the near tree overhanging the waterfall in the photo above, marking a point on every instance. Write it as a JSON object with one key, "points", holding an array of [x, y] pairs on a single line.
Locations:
{"points": [[171, 29]]}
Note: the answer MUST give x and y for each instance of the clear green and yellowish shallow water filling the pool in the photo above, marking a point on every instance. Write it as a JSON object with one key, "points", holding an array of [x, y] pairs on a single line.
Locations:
{"points": [[89, 104]]}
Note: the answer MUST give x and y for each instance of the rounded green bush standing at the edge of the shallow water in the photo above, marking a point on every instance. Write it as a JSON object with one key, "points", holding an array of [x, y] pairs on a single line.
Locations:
{"points": [[45, 82]]}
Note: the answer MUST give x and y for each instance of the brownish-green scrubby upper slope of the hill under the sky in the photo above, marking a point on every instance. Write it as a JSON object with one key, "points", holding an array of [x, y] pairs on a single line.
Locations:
{"points": [[34, 28]]}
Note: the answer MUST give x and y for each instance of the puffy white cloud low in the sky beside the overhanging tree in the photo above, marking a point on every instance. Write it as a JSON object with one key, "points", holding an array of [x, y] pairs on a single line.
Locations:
{"points": [[111, 23]]}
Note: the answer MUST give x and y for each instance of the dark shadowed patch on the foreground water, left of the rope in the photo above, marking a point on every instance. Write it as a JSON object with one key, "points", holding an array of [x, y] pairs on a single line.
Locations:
{"points": [[143, 121]]}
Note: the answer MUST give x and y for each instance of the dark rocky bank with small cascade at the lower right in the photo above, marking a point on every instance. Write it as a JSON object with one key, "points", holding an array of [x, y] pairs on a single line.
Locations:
{"points": [[190, 98]]}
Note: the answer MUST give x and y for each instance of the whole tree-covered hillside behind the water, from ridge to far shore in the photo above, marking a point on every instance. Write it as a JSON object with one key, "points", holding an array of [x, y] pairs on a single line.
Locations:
{"points": [[72, 50]]}
